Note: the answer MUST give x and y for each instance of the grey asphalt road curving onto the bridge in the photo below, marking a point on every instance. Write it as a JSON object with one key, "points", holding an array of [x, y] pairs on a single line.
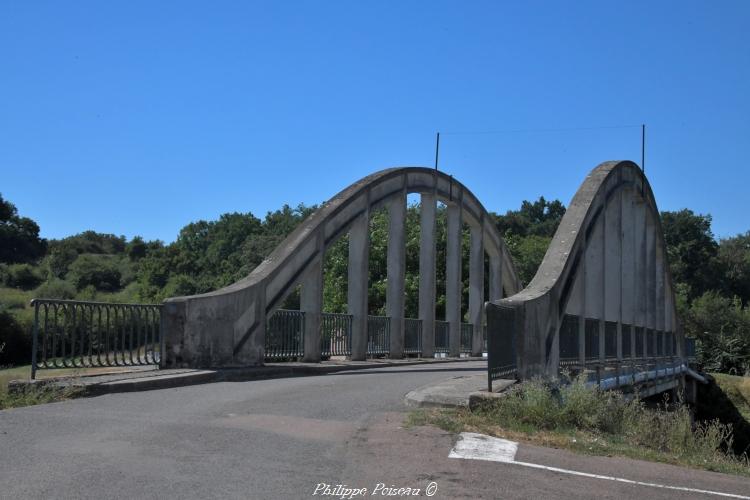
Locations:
{"points": [[281, 439]]}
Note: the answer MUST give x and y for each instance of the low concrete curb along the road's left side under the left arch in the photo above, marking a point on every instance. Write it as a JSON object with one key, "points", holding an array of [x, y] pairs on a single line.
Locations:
{"points": [[89, 386]]}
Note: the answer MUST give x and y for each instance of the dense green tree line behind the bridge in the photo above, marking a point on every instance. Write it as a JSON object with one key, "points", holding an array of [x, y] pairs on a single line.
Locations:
{"points": [[712, 277]]}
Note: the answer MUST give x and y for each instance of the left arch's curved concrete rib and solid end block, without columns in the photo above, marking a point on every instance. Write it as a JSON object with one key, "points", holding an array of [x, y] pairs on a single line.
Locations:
{"points": [[226, 327]]}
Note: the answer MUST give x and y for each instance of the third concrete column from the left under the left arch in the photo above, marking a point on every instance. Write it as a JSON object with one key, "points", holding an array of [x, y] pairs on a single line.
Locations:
{"points": [[396, 272]]}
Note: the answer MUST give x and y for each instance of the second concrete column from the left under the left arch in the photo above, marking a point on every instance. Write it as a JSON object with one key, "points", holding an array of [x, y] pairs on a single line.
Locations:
{"points": [[359, 247]]}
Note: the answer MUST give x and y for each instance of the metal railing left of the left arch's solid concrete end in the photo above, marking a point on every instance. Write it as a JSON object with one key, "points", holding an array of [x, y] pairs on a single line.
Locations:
{"points": [[81, 334]]}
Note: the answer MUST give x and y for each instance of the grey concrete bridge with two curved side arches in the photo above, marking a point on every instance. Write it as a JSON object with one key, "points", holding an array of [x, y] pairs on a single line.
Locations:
{"points": [[601, 303]]}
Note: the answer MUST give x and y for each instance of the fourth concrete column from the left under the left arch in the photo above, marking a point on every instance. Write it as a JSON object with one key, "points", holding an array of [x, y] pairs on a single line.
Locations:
{"points": [[427, 254]]}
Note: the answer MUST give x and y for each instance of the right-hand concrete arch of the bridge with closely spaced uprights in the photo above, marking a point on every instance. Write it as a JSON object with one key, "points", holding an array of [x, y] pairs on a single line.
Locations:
{"points": [[607, 262]]}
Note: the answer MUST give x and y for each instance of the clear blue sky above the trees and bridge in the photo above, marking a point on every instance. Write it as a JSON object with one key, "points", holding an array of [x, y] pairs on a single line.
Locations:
{"points": [[136, 118]]}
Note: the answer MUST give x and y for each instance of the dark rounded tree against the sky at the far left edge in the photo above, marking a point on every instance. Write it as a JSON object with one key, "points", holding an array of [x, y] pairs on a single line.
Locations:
{"points": [[19, 236]]}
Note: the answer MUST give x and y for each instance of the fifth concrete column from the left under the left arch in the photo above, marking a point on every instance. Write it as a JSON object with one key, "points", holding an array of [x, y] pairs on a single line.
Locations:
{"points": [[453, 279]]}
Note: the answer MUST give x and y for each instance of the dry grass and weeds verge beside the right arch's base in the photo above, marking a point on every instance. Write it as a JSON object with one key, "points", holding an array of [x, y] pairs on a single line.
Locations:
{"points": [[595, 422]]}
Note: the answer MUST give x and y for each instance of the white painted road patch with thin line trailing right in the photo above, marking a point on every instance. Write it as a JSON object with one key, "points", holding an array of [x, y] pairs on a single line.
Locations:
{"points": [[472, 446]]}
